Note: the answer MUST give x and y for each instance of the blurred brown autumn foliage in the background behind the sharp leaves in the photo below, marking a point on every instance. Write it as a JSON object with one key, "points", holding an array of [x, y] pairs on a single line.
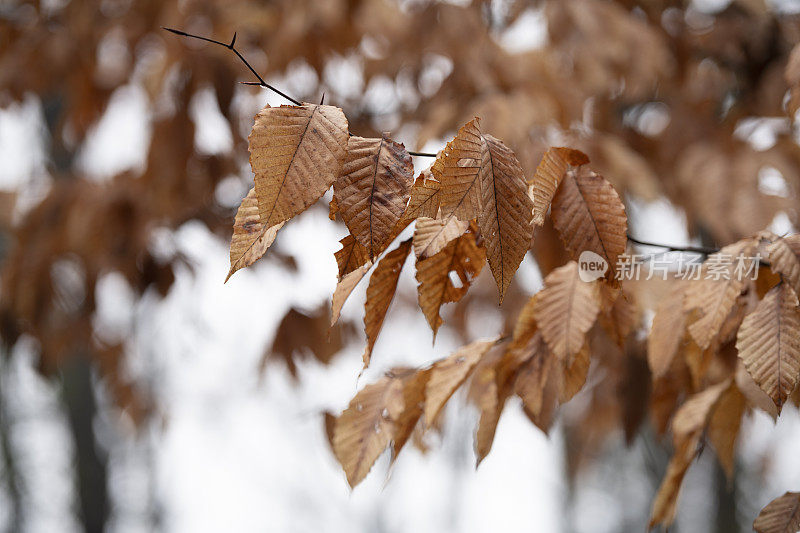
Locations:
{"points": [[689, 102]]}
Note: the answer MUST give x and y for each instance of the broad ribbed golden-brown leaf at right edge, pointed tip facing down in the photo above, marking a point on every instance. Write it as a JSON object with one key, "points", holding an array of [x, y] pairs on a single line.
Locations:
{"points": [[769, 343]]}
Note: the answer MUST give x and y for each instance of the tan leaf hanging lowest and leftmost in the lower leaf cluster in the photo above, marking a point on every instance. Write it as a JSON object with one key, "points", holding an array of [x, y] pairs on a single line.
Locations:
{"points": [[366, 427]]}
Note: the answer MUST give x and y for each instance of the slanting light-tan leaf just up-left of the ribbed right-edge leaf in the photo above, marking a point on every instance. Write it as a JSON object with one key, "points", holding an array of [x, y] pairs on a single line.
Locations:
{"points": [[715, 295]]}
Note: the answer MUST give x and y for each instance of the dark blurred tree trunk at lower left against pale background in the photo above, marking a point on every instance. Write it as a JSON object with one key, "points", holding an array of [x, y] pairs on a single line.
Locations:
{"points": [[91, 463]]}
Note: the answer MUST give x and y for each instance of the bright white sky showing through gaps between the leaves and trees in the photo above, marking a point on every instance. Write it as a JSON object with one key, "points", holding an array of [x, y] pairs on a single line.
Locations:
{"points": [[243, 452]]}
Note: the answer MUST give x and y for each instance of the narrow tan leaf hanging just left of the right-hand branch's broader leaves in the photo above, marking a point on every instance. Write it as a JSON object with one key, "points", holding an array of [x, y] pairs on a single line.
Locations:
{"points": [[666, 333]]}
